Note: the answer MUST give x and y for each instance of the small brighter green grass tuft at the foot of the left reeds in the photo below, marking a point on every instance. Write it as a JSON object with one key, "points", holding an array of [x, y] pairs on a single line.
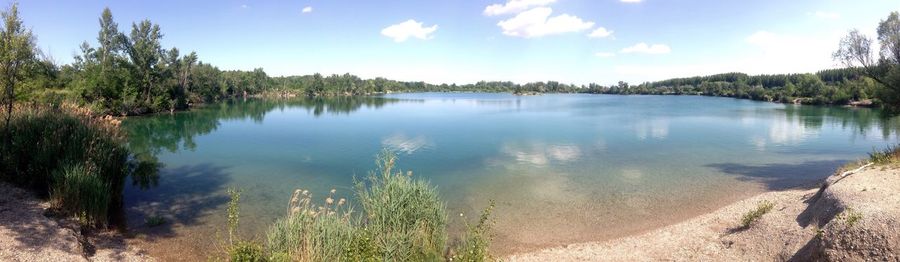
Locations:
{"points": [[76, 190]]}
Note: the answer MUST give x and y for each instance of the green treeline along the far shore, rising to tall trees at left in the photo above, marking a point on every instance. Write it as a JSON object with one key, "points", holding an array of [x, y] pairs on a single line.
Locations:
{"points": [[130, 74]]}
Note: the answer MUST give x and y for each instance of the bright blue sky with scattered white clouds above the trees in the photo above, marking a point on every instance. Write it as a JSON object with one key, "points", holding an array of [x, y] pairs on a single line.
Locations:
{"points": [[467, 41]]}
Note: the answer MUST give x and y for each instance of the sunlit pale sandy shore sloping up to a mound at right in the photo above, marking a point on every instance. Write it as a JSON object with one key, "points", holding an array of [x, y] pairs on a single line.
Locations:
{"points": [[851, 219]]}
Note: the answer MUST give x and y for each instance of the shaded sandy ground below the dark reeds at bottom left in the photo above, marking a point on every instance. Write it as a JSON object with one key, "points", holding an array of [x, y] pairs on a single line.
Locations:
{"points": [[27, 235]]}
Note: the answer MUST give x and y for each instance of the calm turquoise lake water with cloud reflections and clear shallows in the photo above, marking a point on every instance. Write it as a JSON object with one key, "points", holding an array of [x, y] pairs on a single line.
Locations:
{"points": [[562, 168]]}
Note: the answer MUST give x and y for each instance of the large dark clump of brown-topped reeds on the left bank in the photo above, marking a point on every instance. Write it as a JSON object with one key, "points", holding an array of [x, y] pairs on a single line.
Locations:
{"points": [[78, 161]]}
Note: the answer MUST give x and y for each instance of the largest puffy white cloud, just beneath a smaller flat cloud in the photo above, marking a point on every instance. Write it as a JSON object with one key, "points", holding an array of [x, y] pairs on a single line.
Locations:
{"points": [[537, 22]]}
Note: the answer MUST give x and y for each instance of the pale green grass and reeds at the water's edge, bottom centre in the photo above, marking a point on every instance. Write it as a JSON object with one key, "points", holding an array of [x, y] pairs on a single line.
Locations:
{"points": [[401, 219]]}
